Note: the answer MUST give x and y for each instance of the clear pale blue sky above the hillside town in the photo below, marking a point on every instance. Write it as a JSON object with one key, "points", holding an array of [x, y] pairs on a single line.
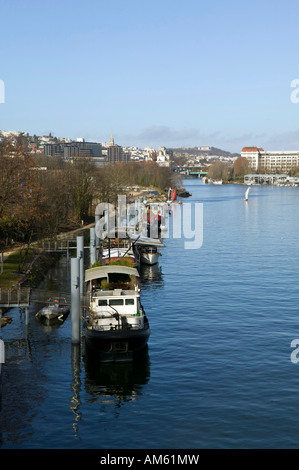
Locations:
{"points": [[167, 72]]}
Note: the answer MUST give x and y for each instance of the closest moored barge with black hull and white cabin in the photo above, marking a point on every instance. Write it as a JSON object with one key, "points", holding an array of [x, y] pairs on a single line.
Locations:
{"points": [[116, 327]]}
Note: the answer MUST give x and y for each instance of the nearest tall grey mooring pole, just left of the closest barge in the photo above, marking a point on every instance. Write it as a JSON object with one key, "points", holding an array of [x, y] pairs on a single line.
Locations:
{"points": [[75, 300]]}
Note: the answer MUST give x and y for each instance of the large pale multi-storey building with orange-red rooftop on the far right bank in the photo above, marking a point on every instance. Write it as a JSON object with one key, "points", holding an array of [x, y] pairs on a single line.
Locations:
{"points": [[278, 161]]}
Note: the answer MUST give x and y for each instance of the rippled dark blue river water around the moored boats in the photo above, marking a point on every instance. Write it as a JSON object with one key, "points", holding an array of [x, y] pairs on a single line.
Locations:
{"points": [[218, 372]]}
